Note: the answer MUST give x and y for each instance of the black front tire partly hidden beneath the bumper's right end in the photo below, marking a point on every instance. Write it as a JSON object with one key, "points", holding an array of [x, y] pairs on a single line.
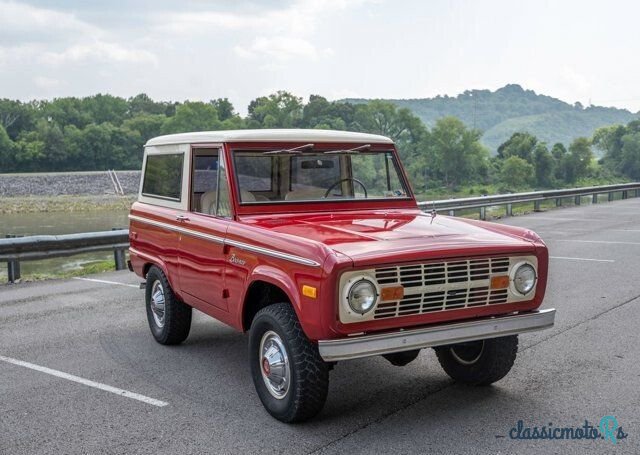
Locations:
{"points": [[492, 364]]}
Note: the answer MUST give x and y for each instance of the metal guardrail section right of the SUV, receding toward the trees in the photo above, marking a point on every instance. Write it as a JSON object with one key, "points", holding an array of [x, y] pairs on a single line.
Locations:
{"points": [[537, 197]]}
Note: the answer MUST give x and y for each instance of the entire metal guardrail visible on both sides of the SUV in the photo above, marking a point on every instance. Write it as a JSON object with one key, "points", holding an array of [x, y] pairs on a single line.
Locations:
{"points": [[15, 249]]}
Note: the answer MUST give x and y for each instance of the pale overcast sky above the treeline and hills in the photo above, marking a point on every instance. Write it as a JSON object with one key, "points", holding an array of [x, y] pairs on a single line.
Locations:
{"points": [[199, 50]]}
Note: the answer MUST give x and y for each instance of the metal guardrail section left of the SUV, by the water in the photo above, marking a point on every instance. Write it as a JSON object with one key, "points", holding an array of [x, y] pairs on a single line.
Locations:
{"points": [[14, 249]]}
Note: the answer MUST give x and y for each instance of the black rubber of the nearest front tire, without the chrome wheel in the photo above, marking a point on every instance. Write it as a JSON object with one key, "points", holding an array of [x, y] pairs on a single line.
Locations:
{"points": [[309, 383]]}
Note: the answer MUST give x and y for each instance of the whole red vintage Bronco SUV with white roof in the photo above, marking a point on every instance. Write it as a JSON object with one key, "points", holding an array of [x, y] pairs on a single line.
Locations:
{"points": [[312, 241]]}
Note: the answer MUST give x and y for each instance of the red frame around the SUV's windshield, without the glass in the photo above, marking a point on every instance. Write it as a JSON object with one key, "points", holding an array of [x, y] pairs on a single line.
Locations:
{"points": [[336, 203]]}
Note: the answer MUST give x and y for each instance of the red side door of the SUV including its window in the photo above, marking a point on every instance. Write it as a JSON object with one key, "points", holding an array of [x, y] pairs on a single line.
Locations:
{"points": [[201, 257]]}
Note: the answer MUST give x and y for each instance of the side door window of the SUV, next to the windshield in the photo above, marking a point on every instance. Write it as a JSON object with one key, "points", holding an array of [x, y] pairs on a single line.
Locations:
{"points": [[209, 186]]}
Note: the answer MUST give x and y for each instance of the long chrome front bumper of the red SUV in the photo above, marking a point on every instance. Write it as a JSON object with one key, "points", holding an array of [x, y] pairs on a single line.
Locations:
{"points": [[438, 335]]}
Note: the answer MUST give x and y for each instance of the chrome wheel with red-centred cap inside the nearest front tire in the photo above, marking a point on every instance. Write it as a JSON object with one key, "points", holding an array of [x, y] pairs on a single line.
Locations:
{"points": [[274, 365]]}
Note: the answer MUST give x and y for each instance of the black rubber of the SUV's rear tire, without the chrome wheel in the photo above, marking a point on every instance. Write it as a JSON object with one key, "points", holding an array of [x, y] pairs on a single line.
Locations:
{"points": [[177, 315]]}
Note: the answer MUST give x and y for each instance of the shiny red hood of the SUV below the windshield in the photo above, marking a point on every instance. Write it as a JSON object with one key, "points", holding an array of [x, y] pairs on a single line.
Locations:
{"points": [[372, 236]]}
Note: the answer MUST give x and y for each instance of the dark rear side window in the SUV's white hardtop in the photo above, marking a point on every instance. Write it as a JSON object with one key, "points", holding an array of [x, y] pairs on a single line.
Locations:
{"points": [[163, 176]]}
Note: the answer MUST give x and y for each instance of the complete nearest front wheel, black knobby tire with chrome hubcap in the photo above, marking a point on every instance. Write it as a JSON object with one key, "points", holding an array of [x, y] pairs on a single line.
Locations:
{"points": [[289, 375]]}
